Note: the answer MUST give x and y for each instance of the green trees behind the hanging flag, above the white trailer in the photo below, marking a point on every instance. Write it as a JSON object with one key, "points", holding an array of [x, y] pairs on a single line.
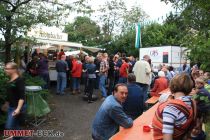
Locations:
{"points": [[151, 35]]}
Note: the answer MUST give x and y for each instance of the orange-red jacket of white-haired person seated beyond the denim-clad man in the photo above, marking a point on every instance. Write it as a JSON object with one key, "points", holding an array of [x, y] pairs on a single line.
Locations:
{"points": [[160, 84]]}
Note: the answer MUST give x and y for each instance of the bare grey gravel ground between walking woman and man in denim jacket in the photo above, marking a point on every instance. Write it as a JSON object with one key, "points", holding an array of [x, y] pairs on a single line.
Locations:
{"points": [[71, 115]]}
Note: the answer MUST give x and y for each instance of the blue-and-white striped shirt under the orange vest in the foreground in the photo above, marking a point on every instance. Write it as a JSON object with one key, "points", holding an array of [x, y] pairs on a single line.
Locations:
{"points": [[174, 117]]}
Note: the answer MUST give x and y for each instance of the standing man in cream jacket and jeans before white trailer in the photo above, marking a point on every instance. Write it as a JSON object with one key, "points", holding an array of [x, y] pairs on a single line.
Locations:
{"points": [[142, 71]]}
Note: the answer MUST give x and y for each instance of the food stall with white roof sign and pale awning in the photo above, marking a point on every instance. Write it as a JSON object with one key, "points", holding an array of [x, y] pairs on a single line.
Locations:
{"points": [[52, 40]]}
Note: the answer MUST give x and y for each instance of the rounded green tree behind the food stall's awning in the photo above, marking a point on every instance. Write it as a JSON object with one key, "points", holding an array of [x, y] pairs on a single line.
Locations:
{"points": [[84, 30]]}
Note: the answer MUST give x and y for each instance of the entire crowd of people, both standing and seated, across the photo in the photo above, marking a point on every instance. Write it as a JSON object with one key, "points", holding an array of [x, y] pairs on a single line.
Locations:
{"points": [[130, 82]]}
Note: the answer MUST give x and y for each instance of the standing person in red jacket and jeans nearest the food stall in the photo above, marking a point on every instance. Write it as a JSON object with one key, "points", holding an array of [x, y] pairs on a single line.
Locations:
{"points": [[76, 74]]}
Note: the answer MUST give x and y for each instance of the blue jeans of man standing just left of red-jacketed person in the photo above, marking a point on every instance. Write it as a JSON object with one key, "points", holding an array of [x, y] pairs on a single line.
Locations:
{"points": [[61, 82]]}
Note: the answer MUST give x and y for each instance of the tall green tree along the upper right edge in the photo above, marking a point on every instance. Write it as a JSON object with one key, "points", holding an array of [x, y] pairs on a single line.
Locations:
{"points": [[195, 19]]}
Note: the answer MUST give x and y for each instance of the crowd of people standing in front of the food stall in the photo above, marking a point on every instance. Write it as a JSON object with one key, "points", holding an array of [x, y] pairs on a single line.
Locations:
{"points": [[94, 73]]}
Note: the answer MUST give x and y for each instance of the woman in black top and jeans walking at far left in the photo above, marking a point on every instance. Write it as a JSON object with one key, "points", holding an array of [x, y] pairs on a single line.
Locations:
{"points": [[15, 96]]}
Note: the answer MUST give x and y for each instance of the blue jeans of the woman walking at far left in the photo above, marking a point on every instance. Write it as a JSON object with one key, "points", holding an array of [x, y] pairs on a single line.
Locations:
{"points": [[13, 122]]}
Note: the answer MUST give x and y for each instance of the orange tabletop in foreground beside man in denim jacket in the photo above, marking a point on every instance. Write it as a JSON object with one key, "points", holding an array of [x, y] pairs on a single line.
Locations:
{"points": [[136, 132]]}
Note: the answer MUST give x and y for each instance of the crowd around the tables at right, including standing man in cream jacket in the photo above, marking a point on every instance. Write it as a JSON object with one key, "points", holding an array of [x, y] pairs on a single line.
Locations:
{"points": [[179, 116]]}
